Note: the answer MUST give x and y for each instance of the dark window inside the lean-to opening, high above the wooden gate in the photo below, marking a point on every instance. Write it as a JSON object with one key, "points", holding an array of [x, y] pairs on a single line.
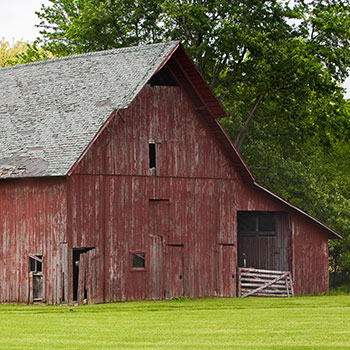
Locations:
{"points": [[256, 223]]}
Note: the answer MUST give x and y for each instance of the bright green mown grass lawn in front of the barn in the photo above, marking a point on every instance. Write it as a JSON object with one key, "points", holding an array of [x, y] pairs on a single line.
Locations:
{"points": [[296, 323]]}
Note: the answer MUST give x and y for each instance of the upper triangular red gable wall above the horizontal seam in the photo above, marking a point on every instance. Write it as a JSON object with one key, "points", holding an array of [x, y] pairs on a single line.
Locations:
{"points": [[185, 146]]}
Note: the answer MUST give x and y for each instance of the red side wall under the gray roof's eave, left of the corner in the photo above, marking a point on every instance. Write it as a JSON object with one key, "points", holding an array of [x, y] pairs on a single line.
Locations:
{"points": [[32, 221]]}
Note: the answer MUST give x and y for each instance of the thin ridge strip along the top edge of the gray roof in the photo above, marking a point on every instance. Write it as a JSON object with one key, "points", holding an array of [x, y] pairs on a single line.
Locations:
{"points": [[87, 54]]}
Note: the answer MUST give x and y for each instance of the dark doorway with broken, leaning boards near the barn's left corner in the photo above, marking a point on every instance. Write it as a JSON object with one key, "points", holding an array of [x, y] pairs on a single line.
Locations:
{"points": [[84, 275]]}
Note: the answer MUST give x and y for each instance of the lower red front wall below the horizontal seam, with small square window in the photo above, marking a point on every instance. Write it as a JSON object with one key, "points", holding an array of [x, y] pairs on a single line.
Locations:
{"points": [[185, 219]]}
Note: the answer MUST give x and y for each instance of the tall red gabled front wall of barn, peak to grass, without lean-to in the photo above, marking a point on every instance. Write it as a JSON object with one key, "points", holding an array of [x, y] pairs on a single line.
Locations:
{"points": [[183, 217]]}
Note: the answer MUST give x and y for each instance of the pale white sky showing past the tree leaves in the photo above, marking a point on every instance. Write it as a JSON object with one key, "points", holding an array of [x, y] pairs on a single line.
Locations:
{"points": [[18, 20]]}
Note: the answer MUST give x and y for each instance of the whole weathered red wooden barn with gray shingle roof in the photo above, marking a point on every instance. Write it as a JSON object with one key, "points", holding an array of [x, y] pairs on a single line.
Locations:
{"points": [[118, 183]]}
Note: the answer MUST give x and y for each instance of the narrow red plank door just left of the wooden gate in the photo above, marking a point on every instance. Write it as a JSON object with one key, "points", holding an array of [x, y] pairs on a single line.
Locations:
{"points": [[225, 266]]}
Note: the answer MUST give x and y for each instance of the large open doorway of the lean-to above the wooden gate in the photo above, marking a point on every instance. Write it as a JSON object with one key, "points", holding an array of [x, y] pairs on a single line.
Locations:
{"points": [[264, 240]]}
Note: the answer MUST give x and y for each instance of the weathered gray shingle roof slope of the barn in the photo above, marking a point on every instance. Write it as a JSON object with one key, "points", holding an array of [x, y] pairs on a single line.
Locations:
{"points": [[50, 111]]}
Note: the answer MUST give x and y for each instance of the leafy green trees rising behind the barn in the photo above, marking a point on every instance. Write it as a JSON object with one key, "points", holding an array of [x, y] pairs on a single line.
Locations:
{"points": [[277, 67]]}
